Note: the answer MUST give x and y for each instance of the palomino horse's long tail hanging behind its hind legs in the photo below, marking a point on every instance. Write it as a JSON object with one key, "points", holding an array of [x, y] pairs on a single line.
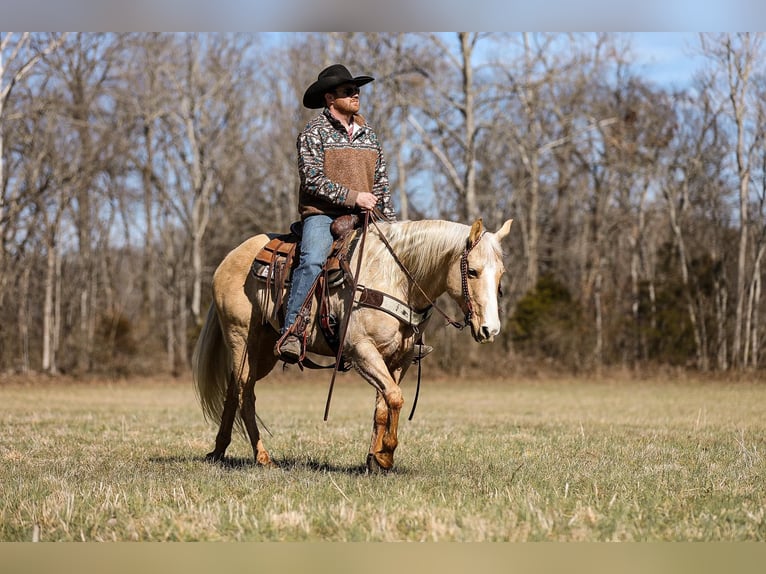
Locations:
{"points": [[211, 367]]}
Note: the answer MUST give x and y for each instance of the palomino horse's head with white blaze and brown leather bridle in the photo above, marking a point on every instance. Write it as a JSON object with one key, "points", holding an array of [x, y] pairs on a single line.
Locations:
{"points": [[474, 282]]}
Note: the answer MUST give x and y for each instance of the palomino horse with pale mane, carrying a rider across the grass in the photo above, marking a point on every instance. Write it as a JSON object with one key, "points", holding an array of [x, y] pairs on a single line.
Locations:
{"points": [[414, 263]]}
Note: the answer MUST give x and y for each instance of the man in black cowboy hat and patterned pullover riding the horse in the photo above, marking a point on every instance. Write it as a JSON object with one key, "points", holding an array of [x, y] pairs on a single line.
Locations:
{"points": [[342, 170]]}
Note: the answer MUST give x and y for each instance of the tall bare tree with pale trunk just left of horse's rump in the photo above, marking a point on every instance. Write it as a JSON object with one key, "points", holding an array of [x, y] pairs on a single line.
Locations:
{"points": [[202, 125]]}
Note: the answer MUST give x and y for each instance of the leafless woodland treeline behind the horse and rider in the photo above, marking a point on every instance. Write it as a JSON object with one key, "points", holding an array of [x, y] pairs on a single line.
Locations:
{"points": [[131, 164]]}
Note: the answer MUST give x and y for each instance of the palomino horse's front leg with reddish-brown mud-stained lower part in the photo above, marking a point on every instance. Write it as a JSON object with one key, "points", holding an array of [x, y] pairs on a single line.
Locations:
{"points": [[388, 405]]}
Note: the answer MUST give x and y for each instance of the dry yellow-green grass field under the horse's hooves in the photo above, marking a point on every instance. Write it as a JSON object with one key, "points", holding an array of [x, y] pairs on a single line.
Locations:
{"points": [[520, 460]]}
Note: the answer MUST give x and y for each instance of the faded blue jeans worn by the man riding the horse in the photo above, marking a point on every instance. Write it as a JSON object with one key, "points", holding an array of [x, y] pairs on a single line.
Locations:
{"points": [[316, 243]]}
